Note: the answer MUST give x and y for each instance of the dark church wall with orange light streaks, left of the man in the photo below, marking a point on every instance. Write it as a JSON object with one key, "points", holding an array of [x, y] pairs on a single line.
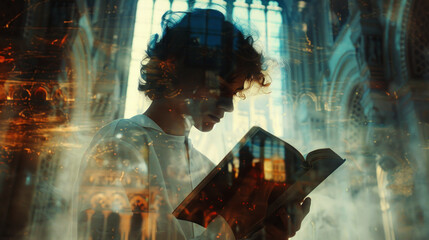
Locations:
{"points": [[59, 54]]}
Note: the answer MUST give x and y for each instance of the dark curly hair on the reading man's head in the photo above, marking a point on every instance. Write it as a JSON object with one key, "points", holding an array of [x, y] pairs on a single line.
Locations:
{"points": [[201, 40]]}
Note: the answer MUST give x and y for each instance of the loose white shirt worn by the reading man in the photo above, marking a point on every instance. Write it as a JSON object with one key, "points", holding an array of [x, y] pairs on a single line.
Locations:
{"points": [[140, 161]]}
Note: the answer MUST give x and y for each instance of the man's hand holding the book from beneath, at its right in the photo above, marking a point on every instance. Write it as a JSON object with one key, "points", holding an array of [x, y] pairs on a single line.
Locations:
{"points": [[287, 220]]}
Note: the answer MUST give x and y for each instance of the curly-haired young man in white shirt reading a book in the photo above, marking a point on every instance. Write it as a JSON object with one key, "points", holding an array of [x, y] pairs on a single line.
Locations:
{"points": [[191, 74]]}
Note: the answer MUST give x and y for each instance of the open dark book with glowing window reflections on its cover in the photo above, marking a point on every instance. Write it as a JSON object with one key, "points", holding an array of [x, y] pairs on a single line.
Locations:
{"points": [[257, 177]]}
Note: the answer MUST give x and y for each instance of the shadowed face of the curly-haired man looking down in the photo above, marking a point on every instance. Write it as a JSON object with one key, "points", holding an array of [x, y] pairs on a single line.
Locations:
{"points": [[208, 105]]}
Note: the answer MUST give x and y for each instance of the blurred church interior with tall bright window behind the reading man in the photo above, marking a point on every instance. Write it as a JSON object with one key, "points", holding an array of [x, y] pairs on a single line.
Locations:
{"points": [[352, 75]]}
